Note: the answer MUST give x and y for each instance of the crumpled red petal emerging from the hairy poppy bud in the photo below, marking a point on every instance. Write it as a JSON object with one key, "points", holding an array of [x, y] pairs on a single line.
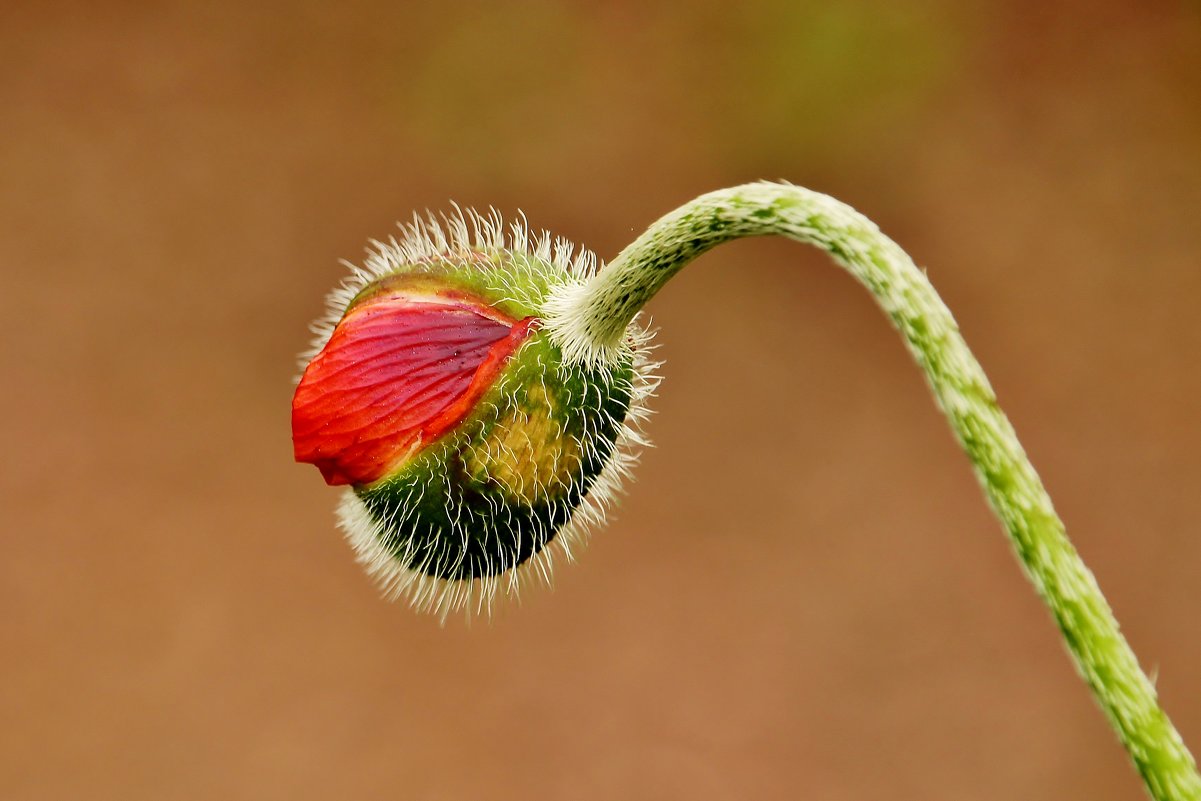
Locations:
{"points": [[399, 372]]}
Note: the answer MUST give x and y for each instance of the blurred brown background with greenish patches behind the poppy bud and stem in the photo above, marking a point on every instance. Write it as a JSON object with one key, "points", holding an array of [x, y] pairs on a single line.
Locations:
{"points": [[804, 595]]}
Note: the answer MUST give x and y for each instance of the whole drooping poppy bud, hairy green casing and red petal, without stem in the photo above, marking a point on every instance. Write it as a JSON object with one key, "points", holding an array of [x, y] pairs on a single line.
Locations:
{"points": [[437, 396]]}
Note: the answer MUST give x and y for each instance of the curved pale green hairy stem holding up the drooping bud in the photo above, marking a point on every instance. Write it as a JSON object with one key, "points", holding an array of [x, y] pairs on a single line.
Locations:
{"points": [[588, 321]]}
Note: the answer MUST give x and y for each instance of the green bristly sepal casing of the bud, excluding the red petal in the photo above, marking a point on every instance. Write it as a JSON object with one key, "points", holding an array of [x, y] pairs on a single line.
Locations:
{"points": [[480, 512]]}
